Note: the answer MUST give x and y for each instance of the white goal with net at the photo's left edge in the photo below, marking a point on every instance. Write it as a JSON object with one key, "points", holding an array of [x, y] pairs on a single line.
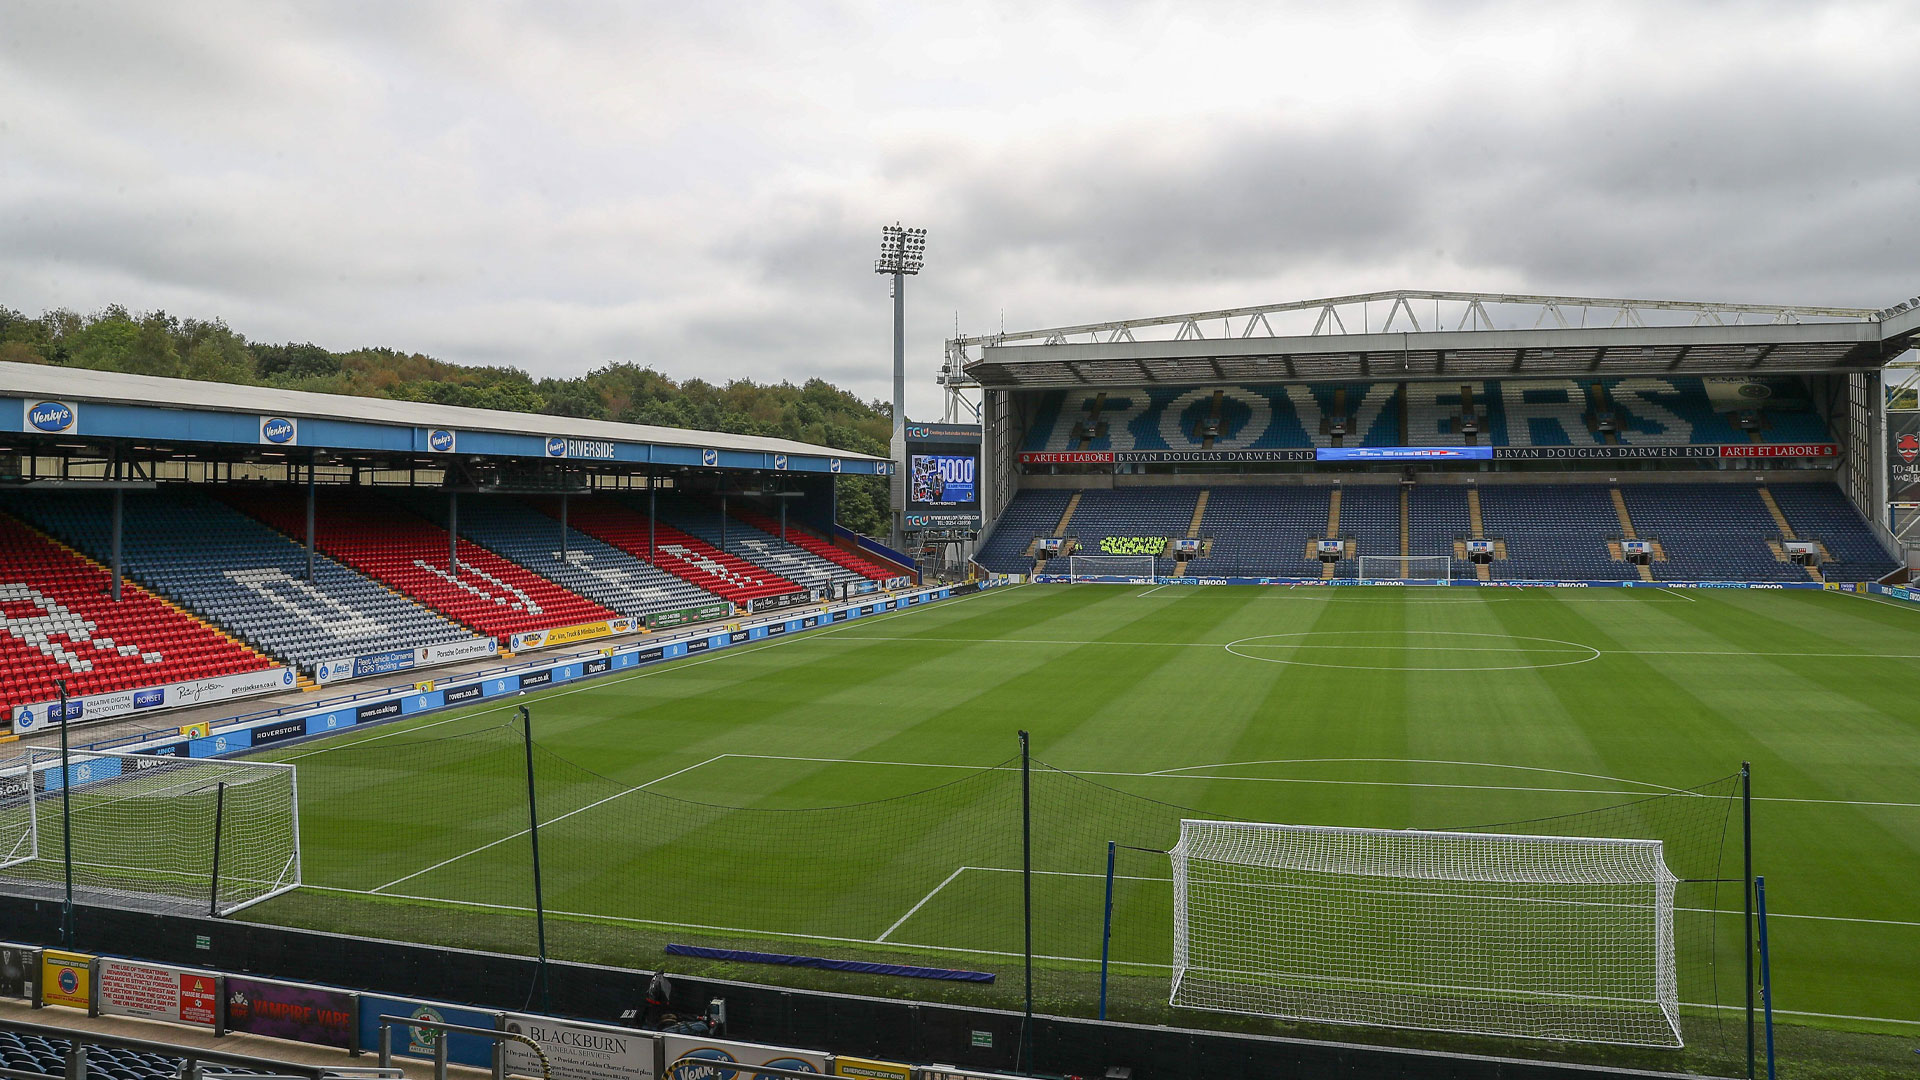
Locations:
{"points": [[151, 833]]}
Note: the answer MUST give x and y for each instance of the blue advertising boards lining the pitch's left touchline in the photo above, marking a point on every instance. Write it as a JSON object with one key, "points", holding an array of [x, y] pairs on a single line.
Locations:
{"points": [[393, 702]]}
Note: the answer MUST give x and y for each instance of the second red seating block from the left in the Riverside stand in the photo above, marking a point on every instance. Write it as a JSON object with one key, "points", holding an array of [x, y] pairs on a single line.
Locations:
{"points": [[410, 554]]}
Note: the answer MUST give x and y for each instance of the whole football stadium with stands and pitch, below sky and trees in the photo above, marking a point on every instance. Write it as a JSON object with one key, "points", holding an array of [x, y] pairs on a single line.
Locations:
{"points": [[1502, 685]]}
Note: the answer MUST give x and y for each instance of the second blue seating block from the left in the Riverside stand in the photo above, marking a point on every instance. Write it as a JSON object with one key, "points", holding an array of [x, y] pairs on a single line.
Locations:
{"points": [[590, 568]]}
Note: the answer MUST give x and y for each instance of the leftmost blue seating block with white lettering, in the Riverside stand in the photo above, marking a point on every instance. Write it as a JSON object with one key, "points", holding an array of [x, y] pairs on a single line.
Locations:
{"points": [[241, 576]]}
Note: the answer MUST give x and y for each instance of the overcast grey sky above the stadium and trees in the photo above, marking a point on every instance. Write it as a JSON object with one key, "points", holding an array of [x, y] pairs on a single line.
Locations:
{"points": [[700, 187]]}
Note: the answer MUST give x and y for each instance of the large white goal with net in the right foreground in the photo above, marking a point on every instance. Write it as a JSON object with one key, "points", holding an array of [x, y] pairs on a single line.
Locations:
{"points": [[1524, 937]]}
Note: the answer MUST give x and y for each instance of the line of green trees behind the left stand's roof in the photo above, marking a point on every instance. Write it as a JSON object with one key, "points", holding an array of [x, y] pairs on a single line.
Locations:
{"points": [[156, 343]]}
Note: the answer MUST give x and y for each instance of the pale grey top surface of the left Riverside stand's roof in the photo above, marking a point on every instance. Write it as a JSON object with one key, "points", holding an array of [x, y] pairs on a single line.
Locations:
{"points": [[114, 387]]}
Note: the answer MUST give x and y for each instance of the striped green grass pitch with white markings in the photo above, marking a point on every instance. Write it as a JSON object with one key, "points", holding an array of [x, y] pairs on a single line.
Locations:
{"points": [[1324, 706]]}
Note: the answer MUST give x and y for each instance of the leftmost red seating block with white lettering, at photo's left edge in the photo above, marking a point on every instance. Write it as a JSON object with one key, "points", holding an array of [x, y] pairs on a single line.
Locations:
{"points": [[64, 624]]}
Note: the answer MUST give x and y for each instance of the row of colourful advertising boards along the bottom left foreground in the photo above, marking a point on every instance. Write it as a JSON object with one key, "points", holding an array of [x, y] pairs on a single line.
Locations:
{"points": [[356, 1023]]}
